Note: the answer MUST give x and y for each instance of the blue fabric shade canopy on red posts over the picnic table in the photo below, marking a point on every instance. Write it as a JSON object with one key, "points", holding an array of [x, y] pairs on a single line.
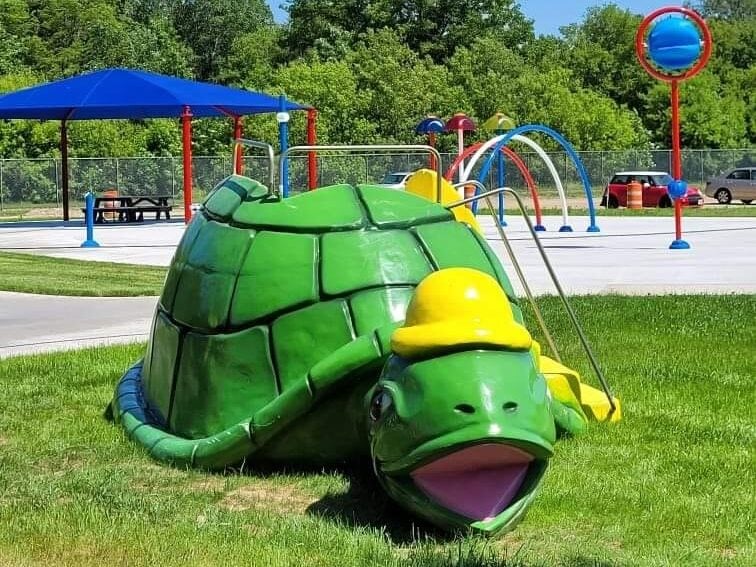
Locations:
{"points": [[128, 93]]}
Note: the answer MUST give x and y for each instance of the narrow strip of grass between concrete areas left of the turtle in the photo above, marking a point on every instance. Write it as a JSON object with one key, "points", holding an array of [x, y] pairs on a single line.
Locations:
{"points": [[31, 273]]}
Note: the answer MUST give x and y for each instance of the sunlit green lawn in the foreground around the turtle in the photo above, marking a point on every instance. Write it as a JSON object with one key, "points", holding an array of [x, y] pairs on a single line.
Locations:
{"points": [[671, 484]]}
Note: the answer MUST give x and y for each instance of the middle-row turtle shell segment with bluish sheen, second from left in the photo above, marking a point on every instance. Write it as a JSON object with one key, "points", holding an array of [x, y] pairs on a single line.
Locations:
{"points": [[203, 295]]}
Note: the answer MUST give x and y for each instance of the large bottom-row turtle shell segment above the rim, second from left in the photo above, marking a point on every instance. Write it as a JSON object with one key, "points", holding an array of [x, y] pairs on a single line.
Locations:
{"points": [[204, 403]]}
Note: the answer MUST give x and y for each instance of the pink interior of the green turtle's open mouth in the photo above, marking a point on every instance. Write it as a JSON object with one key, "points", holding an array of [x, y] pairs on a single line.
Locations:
{"points": [[477, 482]]}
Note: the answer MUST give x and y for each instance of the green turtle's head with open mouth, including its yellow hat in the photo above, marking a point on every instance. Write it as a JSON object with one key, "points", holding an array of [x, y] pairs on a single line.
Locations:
{"points": [[460, 423]]}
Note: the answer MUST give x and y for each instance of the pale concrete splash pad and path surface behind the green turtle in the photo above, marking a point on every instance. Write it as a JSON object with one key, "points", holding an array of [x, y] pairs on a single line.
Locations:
{"points": [[629, 256]]}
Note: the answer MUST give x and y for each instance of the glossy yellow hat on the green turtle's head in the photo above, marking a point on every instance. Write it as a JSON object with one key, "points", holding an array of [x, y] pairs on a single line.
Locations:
{"points": [[456, 307]]}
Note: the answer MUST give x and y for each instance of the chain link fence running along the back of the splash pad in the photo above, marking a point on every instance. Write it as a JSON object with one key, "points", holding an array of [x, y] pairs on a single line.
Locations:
{"points": [[31, 188]]}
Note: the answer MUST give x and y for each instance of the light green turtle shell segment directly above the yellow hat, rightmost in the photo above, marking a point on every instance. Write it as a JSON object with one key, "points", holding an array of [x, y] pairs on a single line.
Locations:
{"points": [[451, 245]]}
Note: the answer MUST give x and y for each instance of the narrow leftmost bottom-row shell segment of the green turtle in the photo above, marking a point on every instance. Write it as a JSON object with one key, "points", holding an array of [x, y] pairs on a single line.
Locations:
{"points": [[163, 356]]}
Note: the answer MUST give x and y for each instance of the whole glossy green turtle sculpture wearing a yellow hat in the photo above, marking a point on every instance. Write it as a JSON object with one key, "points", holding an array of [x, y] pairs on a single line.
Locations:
{"points": [[278, 338]]}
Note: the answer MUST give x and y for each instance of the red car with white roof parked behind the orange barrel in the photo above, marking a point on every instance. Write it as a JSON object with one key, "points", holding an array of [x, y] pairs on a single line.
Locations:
{"points": [[654, 190]]}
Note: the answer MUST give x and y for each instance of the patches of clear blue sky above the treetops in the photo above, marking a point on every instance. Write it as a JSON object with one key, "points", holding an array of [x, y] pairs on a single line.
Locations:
{"points": [[548, 15]]}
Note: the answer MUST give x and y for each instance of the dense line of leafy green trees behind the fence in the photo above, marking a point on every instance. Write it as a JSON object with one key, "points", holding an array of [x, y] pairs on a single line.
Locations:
{"points": [[374, 68]]}
